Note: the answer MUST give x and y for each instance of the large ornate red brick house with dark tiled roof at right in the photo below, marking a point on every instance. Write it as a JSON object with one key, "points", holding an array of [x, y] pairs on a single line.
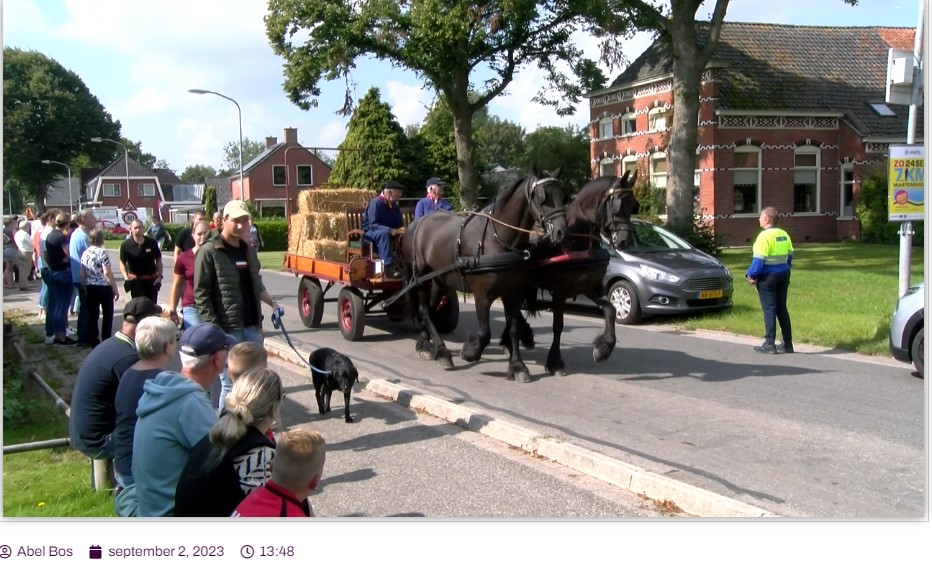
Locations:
{"points": [[789, 116]]}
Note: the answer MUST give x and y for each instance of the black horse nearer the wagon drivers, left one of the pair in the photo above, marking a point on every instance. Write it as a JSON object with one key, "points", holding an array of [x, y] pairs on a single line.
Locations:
{"points": [[484, 253]]}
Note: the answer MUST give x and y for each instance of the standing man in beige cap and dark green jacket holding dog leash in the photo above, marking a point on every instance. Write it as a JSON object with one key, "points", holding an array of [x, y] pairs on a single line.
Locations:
{"points": [[228, 289]]}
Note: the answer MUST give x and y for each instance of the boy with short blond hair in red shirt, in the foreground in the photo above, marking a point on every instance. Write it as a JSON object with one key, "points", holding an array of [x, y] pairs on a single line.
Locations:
{"points": [[296, 472]]}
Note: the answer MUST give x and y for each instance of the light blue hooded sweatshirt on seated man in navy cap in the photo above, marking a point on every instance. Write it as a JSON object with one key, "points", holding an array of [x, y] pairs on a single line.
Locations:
{"points": [[174, 414]]}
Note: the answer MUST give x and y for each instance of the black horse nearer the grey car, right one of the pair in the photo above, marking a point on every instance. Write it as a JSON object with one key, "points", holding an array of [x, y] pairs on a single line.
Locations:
{"points": [[602, 208]]}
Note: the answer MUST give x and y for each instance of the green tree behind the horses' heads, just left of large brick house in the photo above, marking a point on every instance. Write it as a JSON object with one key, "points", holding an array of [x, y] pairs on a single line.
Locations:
{"points": [[564, 147]]}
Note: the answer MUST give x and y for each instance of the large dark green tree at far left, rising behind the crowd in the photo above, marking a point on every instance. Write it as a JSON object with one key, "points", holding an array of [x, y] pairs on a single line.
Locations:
{"points": [[48, 113]]}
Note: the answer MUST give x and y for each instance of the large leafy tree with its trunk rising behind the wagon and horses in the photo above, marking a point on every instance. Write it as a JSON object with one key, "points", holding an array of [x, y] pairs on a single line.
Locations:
{"points": [[447, 43]]}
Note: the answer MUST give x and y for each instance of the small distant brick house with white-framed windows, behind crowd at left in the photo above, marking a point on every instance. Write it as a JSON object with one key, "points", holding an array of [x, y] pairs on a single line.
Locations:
{"points": [[116, 189]]}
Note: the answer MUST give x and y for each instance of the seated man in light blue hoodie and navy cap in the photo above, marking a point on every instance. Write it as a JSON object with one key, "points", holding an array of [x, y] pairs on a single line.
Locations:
{"points": [[174, 413]]}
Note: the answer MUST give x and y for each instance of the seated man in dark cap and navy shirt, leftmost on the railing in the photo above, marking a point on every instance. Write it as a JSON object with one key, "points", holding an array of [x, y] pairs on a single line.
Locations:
{"points": [[93, 414]]}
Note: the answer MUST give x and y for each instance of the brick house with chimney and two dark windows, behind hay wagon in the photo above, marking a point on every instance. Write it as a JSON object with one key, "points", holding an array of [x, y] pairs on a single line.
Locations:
{"points": [[270, 180]]}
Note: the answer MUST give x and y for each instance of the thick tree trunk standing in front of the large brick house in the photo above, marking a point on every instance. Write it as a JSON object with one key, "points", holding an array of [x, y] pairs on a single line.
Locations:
{"points": [[681, 151]]}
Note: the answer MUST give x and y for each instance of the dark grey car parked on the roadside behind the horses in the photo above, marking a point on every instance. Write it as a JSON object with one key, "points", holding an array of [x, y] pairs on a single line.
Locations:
{"points": [[660, 273]]}
